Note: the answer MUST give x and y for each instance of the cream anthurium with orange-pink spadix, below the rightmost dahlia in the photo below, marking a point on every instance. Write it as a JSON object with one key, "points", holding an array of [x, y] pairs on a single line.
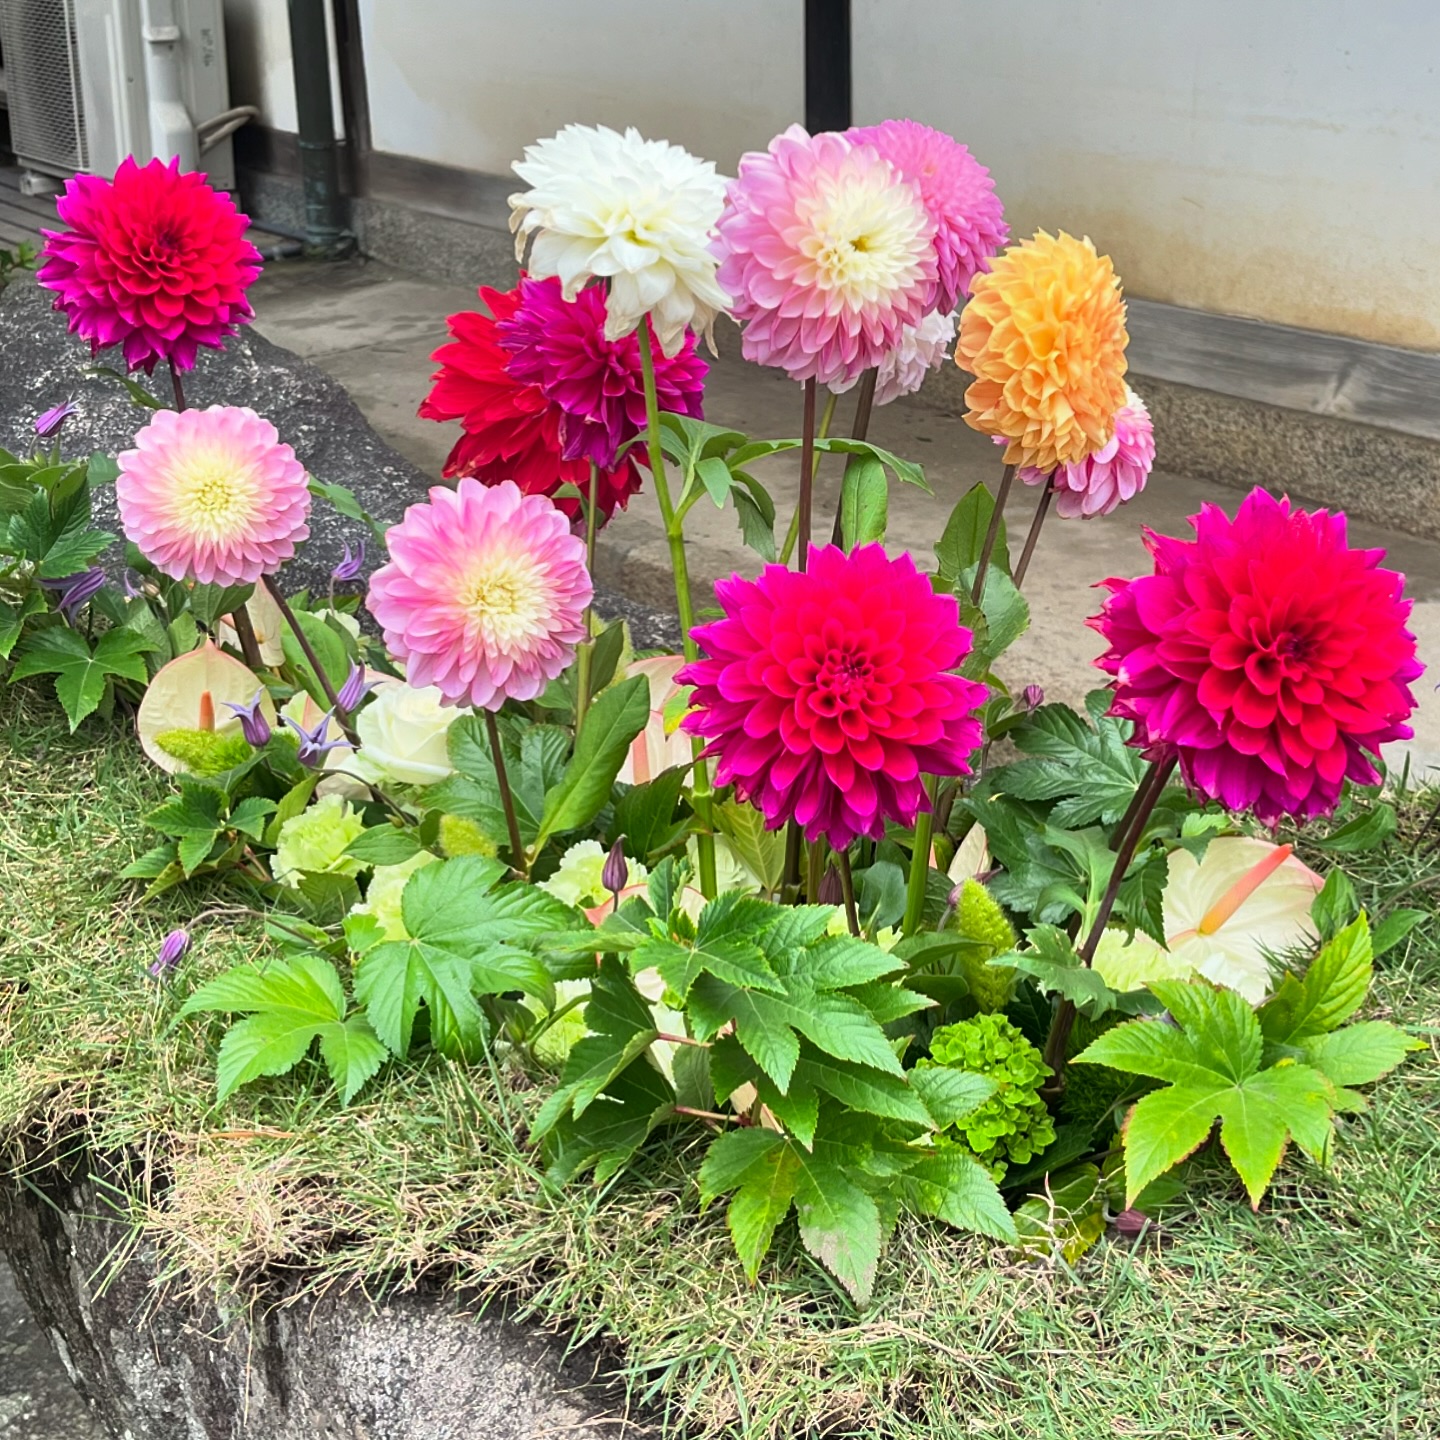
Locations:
{"points": [[1225, 918]]}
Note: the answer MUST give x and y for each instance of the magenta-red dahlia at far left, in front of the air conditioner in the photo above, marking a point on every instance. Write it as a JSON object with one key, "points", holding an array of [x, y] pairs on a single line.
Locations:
{"points": [[153, 261]]}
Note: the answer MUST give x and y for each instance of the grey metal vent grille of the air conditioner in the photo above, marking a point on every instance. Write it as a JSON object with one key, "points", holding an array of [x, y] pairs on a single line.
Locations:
{"points": [[44, 80]]}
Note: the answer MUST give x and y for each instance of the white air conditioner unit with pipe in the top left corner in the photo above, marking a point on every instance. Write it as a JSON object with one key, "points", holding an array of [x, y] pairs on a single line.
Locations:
{"points": [[94, 81]]}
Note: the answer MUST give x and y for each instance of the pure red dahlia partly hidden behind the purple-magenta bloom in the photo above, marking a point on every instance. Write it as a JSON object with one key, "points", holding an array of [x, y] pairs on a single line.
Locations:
{"points": [[512, 430]]}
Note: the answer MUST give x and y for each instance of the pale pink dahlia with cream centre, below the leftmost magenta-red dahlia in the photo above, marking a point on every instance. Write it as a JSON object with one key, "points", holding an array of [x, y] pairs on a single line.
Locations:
{"points": [[212, 496]]}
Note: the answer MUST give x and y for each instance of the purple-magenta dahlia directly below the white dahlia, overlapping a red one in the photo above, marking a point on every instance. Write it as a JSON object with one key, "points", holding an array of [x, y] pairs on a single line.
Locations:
{"points": [[561, 348]]}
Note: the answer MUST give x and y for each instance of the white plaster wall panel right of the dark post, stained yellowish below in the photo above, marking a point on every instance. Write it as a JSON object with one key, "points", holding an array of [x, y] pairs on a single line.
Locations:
{"points": [[1278, 159]]}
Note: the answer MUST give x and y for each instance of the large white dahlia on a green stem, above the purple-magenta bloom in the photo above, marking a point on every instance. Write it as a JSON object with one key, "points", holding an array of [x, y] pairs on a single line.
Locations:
{"points": [[637, 212]]}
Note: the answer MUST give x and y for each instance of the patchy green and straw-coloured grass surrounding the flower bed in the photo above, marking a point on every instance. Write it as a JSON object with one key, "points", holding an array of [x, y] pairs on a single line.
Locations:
{"points": [[1314, 1318]]}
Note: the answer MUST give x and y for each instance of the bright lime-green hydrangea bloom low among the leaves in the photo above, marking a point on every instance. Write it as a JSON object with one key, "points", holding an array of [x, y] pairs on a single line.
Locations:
{"points": [[1014, 1124]]}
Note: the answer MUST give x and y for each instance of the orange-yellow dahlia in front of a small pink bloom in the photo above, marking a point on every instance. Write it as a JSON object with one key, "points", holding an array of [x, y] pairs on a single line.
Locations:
{"points": [[1045, 338]]}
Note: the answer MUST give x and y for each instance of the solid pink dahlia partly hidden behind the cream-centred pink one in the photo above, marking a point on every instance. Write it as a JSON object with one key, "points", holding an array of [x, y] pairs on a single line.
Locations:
{"points": [[958, 192]]}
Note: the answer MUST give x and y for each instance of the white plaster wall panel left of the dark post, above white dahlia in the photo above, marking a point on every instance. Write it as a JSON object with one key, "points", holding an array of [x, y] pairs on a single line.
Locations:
{"points": [[472, 83]]}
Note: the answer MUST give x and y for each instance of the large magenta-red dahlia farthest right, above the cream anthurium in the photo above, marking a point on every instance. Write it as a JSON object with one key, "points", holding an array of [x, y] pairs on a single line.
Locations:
{"points": [[1265, 654]]}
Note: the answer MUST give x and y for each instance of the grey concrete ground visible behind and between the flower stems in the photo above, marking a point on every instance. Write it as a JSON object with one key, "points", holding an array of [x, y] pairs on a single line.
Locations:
{"points": [[374, 329]]}
